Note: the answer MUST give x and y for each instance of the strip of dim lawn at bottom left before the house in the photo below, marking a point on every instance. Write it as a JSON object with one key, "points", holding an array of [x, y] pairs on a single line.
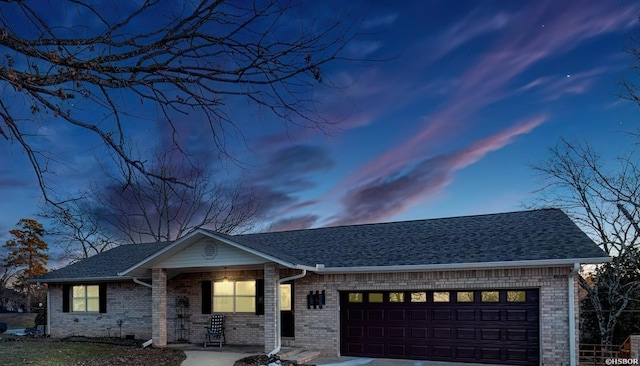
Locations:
{"points": [[50, 352]]}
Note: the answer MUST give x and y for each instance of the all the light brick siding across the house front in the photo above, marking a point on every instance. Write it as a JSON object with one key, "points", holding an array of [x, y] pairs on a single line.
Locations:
{"points": [[316, 329]]}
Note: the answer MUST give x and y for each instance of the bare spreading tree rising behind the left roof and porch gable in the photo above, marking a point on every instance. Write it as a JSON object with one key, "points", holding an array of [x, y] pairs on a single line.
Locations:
{"points": [[128, 206]]}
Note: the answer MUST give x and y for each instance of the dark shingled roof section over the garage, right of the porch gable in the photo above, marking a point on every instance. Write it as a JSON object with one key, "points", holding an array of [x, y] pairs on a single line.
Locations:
{"points": [[536, 235]]}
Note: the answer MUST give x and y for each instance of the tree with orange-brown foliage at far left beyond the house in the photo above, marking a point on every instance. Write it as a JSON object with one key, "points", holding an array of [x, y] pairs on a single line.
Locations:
{"points": [[27, 254]]}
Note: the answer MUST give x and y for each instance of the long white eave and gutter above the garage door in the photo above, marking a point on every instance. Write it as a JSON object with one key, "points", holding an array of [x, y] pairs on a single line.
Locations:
{"points": [[463, 266]]}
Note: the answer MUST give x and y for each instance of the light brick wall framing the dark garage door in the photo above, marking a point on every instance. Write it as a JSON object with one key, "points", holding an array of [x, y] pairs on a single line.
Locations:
{"points": [[319, 329]]}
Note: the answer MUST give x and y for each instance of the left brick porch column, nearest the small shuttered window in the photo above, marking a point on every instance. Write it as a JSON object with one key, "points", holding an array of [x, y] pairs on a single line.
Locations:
{"points": [[159, 306]]}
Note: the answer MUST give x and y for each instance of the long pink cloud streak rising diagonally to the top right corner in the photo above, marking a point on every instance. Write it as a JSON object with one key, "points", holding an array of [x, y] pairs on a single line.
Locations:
{"points": [[488, 80]]}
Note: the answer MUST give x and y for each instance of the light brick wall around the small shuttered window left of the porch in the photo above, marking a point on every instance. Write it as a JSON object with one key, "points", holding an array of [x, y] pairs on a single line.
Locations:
{"points": [[125, 300]]}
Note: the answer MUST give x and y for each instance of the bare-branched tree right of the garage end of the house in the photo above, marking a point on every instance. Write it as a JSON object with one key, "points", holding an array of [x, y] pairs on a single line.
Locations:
{"points": [[606, 204]]}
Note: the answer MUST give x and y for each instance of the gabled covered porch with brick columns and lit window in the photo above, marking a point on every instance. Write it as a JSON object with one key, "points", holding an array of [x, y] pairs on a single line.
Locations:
{"points": [[204, 275]]}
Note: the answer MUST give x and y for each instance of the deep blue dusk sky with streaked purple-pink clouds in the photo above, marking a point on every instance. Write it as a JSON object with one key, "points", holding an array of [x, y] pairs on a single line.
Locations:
{"points": [[461, 98]]}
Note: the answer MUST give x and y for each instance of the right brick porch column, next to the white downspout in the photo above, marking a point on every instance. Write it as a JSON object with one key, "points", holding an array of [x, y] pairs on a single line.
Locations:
{"points": [[271, 288]]}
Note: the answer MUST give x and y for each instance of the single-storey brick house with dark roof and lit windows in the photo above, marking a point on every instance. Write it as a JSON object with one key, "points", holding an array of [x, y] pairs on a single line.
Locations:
{"points": [[497, 288]]}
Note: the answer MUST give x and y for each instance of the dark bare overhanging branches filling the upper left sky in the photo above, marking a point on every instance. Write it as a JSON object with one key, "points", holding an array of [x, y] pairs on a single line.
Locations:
{"points": [[122, 63]]}
